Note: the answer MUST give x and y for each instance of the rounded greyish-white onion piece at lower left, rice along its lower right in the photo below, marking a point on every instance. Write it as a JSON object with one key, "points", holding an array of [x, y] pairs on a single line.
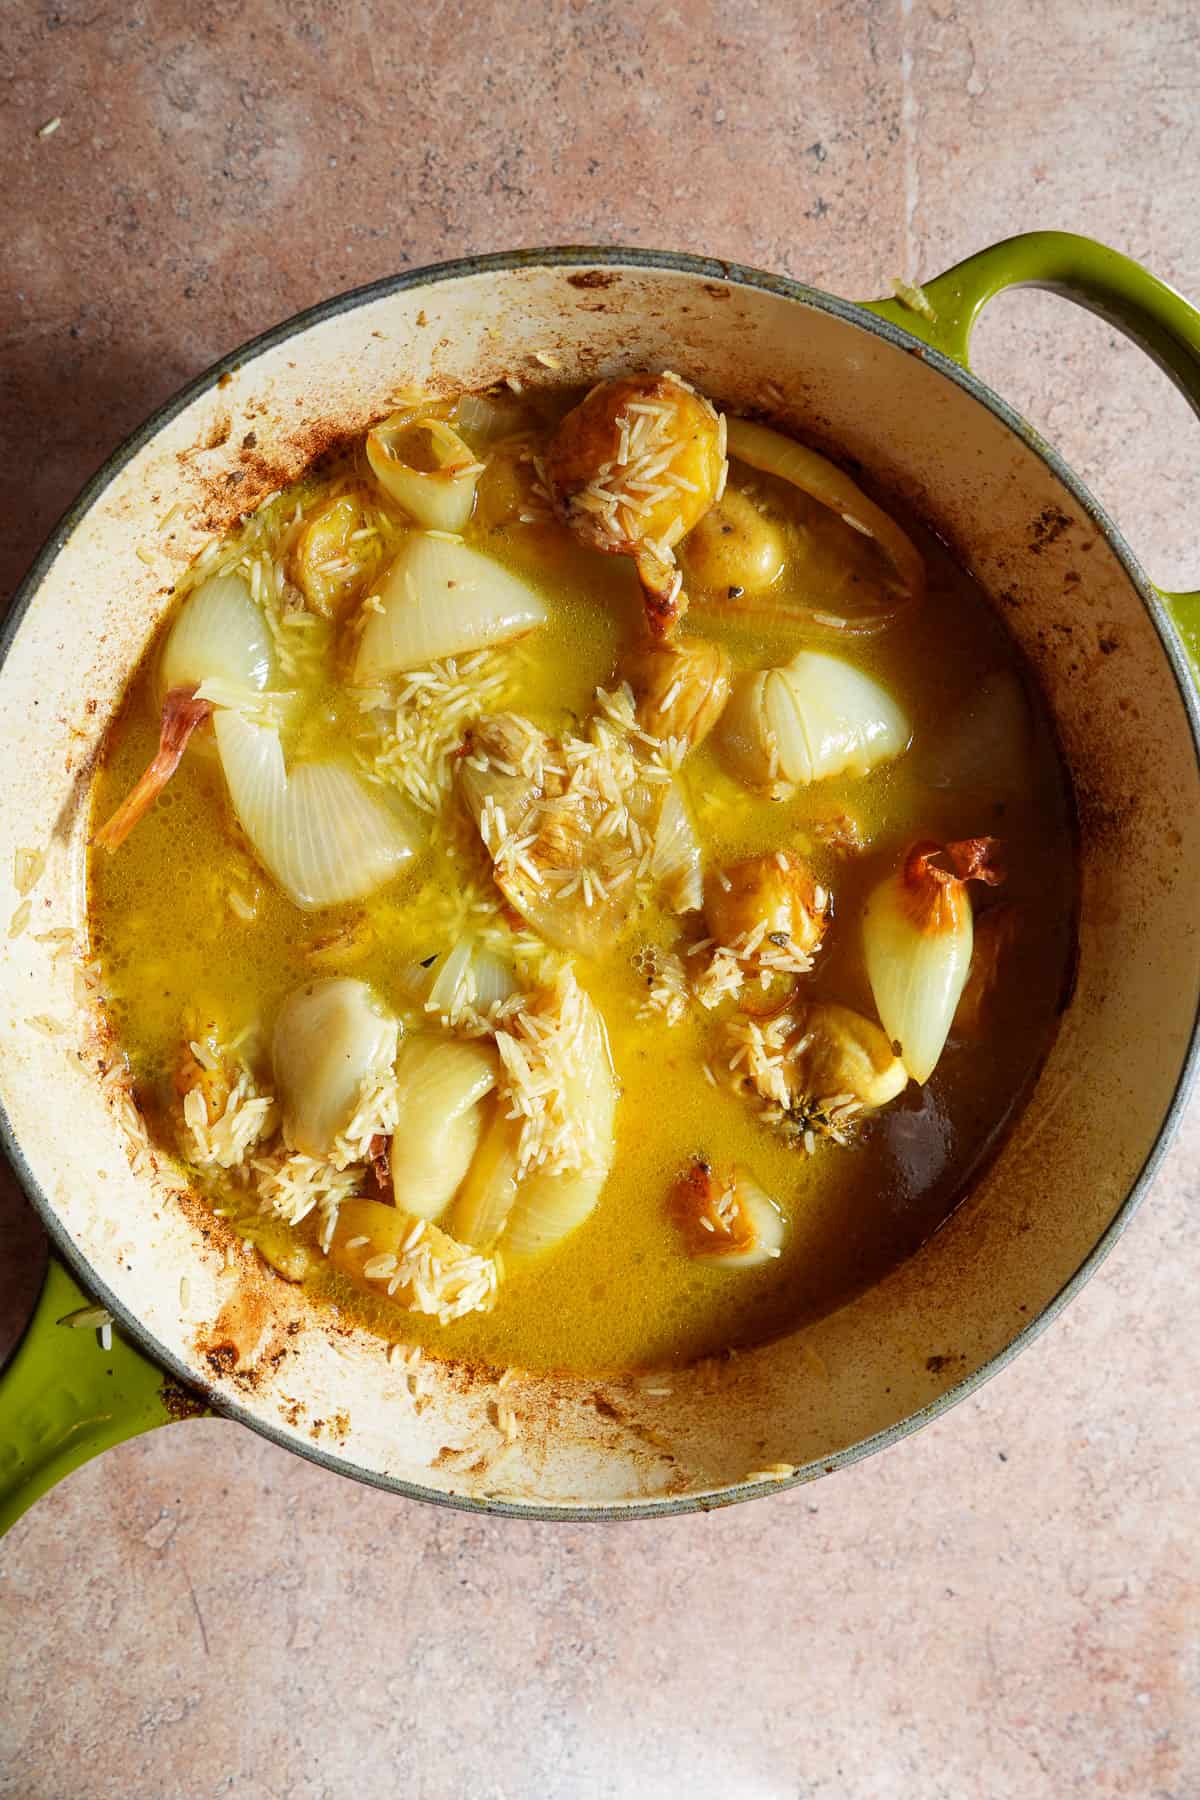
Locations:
{"points": [[330, 1039]]}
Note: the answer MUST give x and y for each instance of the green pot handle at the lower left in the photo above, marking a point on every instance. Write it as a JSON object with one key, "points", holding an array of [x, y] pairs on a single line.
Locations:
{"points": [[64, 1398]]}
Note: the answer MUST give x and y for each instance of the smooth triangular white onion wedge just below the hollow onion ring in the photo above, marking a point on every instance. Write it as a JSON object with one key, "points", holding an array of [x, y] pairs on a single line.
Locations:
{"points": [[442, 600]]}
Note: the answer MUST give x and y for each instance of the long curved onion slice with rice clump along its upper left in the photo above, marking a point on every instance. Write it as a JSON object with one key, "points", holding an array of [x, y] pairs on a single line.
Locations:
{"points": [[551, 1205]]}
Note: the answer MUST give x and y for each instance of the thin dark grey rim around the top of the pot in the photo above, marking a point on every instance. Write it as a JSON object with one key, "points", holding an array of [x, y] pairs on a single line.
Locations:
{"points": [[854, 314]]}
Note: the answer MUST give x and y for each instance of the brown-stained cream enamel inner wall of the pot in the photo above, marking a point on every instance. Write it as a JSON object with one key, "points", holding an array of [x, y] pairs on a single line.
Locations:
{"points": [[1102, 1101]]}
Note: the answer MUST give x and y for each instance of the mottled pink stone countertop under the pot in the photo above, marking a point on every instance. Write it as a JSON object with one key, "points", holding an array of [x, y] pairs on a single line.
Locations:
{"points": [[1005, 1606]]}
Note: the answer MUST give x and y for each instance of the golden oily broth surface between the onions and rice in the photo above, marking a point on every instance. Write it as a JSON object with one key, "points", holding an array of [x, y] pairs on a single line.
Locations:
{"points": [[622, 1291]]}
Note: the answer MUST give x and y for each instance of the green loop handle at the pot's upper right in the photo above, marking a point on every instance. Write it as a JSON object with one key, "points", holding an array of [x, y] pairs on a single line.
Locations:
{"points": [[1156, 318]]}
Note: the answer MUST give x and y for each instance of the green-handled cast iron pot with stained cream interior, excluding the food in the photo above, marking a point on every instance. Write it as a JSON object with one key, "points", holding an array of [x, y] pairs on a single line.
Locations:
{"points": [[201, 1326]]}
